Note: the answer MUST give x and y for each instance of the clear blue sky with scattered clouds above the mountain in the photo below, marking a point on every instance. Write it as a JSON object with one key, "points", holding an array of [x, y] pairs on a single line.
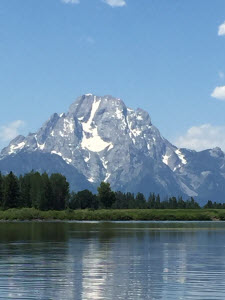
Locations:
{"points": [[166, 57]]}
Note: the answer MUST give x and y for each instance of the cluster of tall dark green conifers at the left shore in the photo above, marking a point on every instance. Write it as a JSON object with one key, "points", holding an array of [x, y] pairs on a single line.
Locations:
{"points": [[36, 190]]}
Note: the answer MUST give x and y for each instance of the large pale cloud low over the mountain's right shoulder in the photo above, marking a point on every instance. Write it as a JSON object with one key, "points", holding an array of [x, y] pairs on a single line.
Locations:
{"points": [[202, 137]]}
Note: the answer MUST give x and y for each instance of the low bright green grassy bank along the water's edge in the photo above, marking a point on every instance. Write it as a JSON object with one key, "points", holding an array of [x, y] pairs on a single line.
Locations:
{"points": [[115, 215]]}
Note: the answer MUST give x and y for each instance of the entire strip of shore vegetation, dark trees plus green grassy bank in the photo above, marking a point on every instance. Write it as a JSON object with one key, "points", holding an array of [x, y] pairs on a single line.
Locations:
{"points": [[36, 196]]}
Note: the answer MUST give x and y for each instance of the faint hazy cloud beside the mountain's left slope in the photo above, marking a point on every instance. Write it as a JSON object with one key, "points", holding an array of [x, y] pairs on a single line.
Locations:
{"points": [[11, 130]]}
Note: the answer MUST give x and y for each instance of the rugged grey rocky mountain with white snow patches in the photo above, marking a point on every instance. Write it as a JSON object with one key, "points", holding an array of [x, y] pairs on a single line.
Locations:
{"points": [[100, 139]]}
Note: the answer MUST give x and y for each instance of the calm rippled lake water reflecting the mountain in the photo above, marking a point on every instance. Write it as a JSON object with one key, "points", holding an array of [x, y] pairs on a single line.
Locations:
{"points": [[130, 261]]}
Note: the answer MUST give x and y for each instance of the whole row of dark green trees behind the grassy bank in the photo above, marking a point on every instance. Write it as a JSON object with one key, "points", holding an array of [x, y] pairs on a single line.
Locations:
{"points": [[52, 192]]}
